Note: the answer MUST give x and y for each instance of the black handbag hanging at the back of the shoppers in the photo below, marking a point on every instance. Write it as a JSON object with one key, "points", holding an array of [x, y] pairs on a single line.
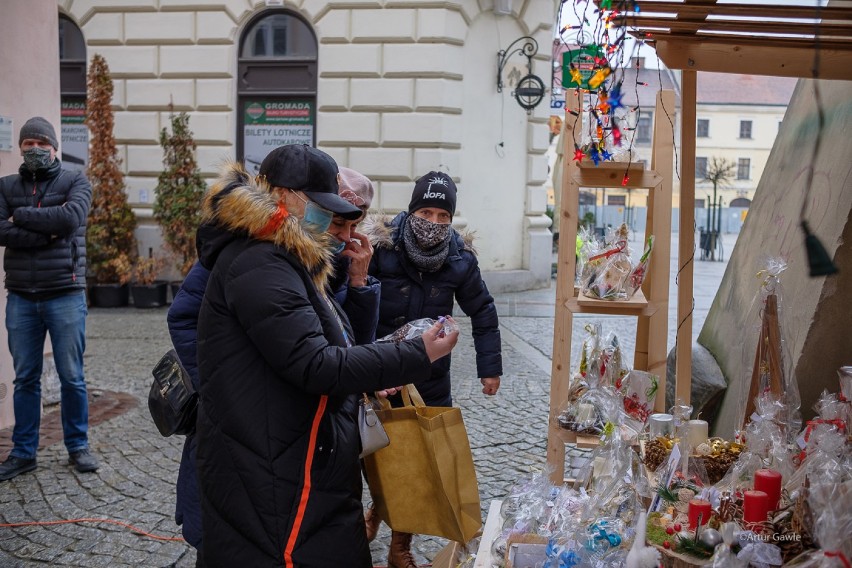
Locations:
{"points": [[172, 399]]}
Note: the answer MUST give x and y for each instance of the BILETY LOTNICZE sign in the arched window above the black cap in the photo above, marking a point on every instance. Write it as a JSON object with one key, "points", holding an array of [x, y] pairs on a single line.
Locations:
{"points": [[272, 123]]}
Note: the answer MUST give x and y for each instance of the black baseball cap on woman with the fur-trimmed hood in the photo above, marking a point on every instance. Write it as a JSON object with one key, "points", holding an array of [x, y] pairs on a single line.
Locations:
{"points": [[312, 171]]}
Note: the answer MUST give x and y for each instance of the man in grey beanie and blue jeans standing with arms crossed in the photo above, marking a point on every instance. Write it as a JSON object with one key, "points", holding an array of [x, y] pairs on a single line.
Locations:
{"points": [[43, 212]]}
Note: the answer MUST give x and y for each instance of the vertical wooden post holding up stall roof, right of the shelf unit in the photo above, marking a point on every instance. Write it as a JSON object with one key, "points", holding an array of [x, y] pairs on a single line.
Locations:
{"points": [[686, 243]]}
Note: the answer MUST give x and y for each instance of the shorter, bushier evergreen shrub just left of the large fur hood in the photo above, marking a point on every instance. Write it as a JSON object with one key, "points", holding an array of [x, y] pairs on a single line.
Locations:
{"points": [[180, 188]]}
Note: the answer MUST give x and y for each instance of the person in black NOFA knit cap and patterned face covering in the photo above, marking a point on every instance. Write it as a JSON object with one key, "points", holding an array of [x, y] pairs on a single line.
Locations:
{"points": [[425, 265]]}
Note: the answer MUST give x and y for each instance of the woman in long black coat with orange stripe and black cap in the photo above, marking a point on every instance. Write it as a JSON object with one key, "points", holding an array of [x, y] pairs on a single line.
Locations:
{"points": [[277, 436]]}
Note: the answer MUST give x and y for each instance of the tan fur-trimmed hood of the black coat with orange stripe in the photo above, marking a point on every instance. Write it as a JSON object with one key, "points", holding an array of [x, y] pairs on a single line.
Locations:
{"points": [[240, 206]]}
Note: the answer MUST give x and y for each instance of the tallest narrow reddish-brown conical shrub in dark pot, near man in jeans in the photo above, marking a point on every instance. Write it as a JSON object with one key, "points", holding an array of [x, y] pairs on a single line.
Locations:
{"points": [[110, 242]]}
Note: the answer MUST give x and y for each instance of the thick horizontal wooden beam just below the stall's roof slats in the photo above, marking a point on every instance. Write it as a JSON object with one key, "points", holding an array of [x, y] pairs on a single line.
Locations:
{"points": [[725, 56]]}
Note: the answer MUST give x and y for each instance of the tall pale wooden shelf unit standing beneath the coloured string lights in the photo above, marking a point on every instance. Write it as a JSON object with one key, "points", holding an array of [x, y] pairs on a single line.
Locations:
{"points": [[648, 305]]}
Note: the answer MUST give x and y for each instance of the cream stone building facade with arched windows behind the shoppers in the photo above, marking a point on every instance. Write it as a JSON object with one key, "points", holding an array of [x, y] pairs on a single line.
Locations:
{"points": [[392, 89]]}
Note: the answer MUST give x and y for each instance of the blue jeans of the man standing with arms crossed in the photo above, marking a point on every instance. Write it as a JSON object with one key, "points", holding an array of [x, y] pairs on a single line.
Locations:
{"points": [[27, 323]]}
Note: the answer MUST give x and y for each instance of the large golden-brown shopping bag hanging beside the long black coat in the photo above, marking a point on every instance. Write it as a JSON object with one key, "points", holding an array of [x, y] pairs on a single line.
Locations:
{"points": [[424, 481]]}
